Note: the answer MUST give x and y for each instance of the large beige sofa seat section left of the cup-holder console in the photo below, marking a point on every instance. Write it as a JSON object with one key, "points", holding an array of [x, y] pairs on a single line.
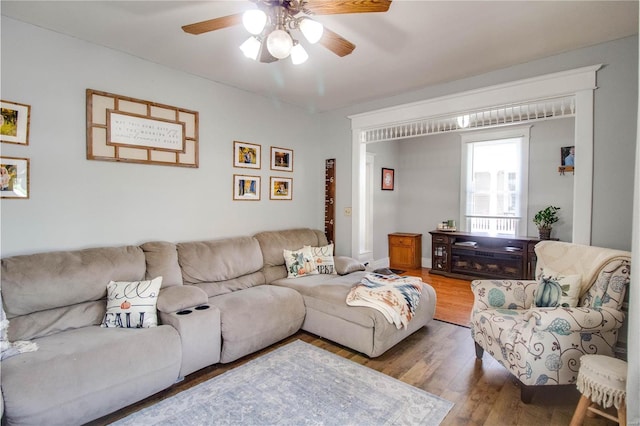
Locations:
{"points": [[83, 374]]}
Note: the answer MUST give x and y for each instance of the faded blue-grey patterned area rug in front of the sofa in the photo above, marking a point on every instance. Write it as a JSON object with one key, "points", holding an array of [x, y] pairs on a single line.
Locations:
{"points": [[297, 384]]}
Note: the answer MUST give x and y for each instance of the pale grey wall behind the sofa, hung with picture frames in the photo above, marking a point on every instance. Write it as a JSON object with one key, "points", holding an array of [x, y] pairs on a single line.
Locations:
{"points": [[76, 203]]}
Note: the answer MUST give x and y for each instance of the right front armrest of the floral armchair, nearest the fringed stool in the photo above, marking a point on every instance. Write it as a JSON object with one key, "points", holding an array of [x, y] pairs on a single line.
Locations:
{"points": [[563, 321]]}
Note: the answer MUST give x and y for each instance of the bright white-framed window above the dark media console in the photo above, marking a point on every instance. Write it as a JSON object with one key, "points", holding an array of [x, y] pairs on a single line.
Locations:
{"points": [[494, 181]]}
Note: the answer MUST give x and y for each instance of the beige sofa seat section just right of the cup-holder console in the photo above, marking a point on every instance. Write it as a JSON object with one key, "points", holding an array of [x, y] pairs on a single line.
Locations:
{"points": [[257, 317]]}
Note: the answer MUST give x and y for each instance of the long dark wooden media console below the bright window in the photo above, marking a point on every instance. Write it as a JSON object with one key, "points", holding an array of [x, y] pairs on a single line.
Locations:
{"points": [[471, 255]]}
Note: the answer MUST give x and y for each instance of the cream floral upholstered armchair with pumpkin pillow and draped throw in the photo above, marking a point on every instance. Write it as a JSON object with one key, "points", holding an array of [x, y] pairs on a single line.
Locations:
{"points": [[538, 330]]}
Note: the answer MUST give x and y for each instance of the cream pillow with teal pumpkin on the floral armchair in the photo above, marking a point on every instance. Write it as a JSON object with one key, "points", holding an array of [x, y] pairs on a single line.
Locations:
{"points": [[557, 290]]}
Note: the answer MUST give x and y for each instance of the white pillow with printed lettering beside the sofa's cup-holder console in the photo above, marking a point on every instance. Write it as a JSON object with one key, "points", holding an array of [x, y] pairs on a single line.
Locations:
{"points": [[132, 304]]}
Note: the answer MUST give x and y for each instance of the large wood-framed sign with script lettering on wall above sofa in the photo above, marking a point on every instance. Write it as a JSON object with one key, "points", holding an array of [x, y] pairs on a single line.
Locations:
{"points": [[131, 130]]}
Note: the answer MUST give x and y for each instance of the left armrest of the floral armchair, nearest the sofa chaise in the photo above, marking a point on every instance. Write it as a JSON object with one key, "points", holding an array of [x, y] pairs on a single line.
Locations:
{"points": [[505, 294]]}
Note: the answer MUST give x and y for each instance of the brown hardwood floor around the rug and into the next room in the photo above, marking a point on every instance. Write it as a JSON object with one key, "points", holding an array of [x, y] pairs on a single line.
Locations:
{"points": [[440, 359]]}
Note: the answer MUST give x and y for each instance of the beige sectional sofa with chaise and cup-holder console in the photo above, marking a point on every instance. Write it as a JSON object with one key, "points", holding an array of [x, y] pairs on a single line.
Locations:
{"points": [[219, 301]]}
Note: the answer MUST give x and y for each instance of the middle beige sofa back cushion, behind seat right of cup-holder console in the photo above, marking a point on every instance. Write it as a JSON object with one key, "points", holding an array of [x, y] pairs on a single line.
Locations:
{"points": [[221, 266]]}
